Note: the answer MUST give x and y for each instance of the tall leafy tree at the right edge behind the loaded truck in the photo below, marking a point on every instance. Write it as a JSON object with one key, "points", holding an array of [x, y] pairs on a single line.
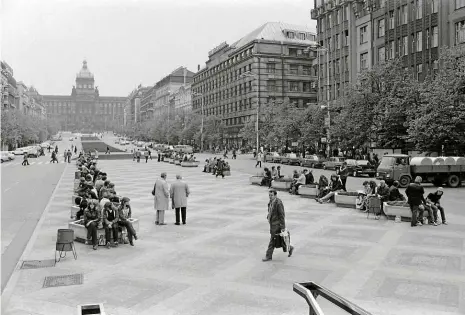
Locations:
{"points": [[439, 117]]}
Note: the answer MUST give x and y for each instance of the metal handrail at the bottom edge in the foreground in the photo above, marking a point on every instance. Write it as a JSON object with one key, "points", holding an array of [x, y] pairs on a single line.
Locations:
{"points": [[310, 291]]}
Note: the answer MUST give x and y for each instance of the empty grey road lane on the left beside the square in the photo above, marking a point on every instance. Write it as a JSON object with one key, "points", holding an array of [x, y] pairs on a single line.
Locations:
{"points": [[25, 194]]}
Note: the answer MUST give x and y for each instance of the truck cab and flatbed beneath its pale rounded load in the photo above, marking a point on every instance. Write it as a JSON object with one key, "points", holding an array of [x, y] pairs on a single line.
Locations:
{"points": [[397, 167]]}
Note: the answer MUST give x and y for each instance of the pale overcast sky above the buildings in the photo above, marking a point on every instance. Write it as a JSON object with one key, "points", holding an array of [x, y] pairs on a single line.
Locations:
{"points": [[126, 42]]}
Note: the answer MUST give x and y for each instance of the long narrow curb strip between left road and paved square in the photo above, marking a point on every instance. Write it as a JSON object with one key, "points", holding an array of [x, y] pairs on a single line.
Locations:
{"points": [[11, 284]]}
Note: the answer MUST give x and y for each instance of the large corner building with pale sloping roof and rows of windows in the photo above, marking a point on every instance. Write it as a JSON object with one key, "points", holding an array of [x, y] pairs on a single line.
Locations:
{"points": [[273, 62]]}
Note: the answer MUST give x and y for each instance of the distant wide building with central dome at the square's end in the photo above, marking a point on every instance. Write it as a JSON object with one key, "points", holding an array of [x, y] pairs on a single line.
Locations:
{"points": [[85, 110]]}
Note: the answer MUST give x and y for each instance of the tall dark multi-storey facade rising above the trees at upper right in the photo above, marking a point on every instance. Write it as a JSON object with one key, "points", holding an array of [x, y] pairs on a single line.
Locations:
{"points": [[355, 35]]}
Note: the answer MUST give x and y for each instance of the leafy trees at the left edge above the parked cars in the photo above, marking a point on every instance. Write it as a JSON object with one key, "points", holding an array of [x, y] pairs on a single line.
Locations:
{"points": [[19, 129]]}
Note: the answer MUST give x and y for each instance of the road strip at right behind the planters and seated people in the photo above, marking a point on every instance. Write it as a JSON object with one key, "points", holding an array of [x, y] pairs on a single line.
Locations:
{"points": [[452, 201]]}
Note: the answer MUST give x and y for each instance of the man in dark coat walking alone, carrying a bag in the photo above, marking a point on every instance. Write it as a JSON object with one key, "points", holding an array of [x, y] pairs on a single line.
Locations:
{"points": [[276, 219]]}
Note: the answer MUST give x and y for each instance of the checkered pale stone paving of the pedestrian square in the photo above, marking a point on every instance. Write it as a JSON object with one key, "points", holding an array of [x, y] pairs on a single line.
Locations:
{"points": [[213, 264]]}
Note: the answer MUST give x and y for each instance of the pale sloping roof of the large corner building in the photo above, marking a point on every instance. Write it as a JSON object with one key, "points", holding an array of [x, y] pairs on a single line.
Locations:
{"points": [[275, 31]]}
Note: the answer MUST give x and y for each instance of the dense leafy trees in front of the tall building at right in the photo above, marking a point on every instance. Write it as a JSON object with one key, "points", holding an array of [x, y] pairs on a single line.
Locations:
{"points": [[390, 107]]}
